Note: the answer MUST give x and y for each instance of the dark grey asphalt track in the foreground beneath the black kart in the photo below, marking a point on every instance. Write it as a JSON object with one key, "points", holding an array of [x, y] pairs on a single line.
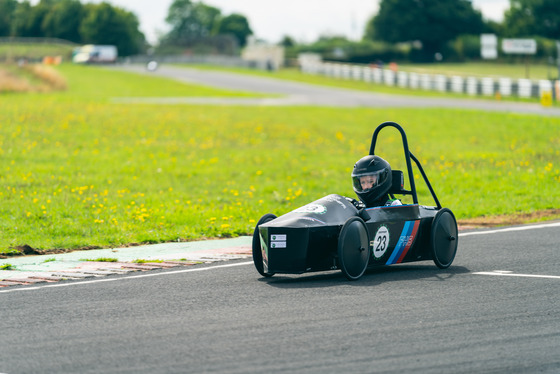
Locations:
{"points": [[227, 319]]}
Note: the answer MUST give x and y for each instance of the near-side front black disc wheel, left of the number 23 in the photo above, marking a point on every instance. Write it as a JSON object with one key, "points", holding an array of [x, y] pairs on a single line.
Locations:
{"points": [[353, 248]]}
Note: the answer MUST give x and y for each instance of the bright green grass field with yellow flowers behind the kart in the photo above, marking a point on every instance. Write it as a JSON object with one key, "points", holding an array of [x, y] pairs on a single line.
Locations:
{"points": [[77, 170]]}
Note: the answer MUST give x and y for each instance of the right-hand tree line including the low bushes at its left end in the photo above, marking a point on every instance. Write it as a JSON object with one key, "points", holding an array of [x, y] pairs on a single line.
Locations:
{"points": [[432, 30]]}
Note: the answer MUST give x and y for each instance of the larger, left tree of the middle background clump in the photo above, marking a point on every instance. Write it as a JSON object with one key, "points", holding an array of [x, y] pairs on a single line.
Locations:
{"points": [[190, 21]]}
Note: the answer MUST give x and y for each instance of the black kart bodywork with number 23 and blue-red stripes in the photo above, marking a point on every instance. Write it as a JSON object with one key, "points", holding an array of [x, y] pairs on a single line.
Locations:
{"points": [[306, 239]]}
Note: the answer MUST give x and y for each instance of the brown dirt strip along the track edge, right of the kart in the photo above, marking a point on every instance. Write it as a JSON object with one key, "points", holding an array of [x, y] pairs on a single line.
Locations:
{"points": [[508, 219]]}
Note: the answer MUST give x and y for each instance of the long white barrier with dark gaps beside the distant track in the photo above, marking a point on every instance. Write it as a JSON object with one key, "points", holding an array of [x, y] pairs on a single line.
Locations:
{"points": [[473, 86]]}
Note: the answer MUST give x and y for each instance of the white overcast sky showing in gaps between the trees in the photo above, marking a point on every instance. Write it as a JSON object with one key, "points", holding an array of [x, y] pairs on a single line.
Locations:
{"points": [[303, 20]]}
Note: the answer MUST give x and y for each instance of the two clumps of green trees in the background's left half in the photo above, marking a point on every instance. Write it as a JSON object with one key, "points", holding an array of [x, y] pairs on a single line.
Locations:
{"points": [[103, 23]]}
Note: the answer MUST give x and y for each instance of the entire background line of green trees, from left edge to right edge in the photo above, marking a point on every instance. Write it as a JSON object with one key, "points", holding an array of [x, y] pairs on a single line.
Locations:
{"points": [[417, 30]]}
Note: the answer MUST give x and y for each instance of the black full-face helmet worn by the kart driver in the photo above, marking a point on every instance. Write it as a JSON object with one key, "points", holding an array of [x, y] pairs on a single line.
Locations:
{"points": [[372, 179]]}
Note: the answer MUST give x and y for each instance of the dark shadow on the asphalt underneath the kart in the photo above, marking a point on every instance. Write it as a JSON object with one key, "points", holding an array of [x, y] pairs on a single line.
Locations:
{"points": [[372, 277]]}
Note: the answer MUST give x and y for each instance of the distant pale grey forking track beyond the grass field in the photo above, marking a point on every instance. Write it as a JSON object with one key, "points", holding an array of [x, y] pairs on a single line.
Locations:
{"points": [[295, 93]]}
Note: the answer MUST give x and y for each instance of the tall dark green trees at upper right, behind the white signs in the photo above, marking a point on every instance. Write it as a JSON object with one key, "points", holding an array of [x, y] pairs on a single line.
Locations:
{"points": [[436, 24]]}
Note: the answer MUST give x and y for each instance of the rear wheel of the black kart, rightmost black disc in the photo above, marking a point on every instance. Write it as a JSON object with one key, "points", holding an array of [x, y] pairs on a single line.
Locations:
{"points": [[444, 238]]}
